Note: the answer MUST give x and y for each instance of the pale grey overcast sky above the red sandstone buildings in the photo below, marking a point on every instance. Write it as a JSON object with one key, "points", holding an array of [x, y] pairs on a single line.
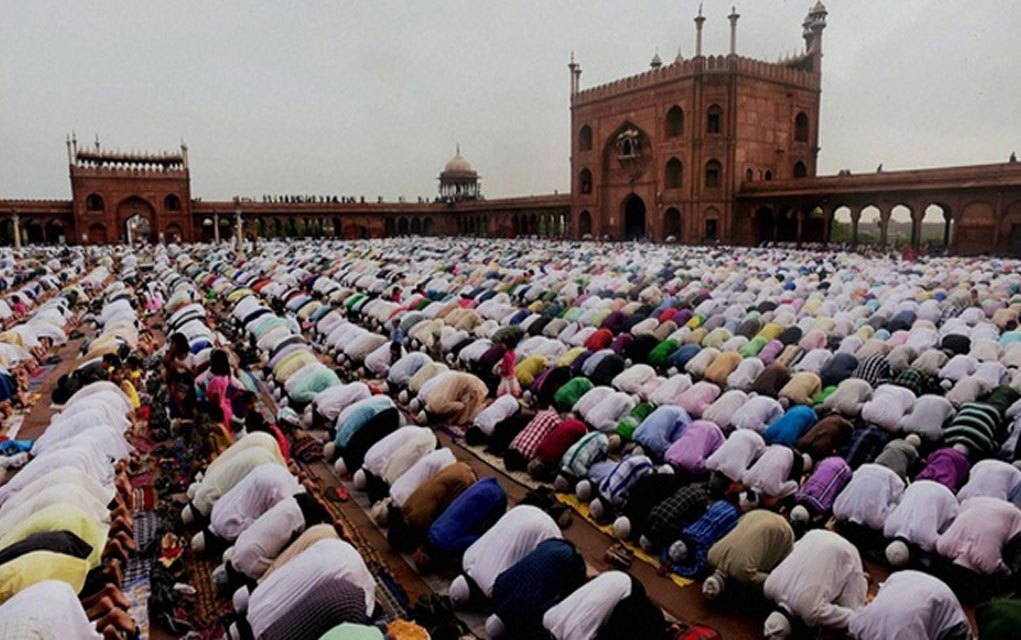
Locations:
{"points": [[370, 97]]}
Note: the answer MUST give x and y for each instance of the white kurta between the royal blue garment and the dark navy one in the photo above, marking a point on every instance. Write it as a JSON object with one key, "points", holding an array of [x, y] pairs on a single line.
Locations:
{"points": [[512, 538]]}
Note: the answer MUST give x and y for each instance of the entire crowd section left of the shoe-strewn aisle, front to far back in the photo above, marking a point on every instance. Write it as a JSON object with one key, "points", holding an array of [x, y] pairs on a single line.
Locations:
{"points": [[67, 525]]}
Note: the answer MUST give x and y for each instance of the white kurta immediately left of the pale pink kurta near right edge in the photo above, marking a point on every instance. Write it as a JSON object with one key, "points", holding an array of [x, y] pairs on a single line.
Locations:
{"points": [[926, 510]]}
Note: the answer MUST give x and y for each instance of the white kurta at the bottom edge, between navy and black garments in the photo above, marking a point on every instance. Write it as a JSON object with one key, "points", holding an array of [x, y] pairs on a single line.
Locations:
{"points": [[581, 615]]}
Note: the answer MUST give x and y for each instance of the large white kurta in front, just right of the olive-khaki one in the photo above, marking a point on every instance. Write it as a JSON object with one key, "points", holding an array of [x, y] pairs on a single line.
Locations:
{"points": [[822, 581]]}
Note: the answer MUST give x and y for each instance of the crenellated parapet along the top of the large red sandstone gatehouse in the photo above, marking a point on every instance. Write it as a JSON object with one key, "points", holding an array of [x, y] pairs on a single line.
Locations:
{"points": [[788, 72]]}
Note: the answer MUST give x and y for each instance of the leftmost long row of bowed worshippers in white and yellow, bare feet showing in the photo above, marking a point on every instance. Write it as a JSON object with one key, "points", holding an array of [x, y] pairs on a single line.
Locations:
{"points": [[67, 526]]}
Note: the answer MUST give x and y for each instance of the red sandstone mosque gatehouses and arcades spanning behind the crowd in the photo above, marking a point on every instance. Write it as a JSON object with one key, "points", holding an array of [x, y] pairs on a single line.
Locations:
{"points": [[702, 151]]}
